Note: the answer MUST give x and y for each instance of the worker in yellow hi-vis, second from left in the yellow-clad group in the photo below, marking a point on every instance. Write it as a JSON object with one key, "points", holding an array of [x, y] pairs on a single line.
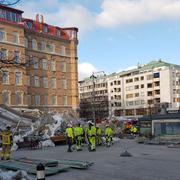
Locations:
{"points": [[78, 133]]}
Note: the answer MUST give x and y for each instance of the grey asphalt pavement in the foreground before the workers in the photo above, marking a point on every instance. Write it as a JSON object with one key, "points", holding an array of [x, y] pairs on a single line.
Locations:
{"points": [[149, 162]]}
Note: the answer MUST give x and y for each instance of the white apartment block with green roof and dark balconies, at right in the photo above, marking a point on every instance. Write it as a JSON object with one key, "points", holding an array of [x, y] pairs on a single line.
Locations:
{"points": [[143, 90]]}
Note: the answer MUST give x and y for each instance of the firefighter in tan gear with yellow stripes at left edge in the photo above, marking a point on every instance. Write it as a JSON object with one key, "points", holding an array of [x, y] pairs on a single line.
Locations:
{"points": [[7, 141]]}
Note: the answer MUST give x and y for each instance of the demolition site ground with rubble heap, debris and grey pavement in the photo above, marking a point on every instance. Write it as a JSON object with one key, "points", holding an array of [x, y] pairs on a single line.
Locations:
{"points": [[43, 140]]}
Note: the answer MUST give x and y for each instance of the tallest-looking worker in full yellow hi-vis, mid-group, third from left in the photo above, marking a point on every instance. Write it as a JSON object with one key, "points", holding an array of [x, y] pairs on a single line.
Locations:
{"points": [[91, 135]]}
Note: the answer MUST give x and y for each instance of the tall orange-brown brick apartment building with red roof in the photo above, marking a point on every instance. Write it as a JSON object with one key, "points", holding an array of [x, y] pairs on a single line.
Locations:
{"points": [[42, 72]]}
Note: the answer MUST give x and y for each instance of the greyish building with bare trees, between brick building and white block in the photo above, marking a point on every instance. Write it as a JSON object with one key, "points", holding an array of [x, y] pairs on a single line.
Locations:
{"points": [[93, 96]]}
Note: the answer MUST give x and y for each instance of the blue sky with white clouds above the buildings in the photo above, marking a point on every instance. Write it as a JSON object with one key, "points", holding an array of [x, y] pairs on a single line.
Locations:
{"points": [[115, 35]]}
